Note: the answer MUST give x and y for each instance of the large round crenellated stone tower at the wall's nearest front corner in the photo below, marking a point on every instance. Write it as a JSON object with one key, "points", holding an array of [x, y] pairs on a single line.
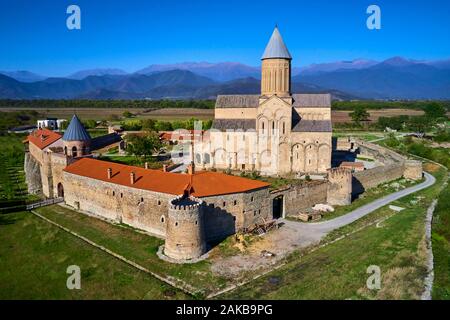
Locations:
{"points": [[185, 238]]}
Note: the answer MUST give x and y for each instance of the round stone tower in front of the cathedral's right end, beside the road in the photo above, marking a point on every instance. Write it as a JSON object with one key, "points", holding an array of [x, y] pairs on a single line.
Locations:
{"points": [[339, 190]]}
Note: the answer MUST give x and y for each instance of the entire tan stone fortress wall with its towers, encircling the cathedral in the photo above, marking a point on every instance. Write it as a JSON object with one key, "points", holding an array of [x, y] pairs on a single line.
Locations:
{"points": [[187, 230]]}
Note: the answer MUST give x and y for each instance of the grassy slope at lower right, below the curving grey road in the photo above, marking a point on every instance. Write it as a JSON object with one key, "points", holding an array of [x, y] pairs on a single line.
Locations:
{"points": [[338, 271]]}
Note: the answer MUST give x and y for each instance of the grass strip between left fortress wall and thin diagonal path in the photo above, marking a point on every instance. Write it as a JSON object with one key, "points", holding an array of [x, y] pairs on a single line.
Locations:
{"points": [[137, 247]]}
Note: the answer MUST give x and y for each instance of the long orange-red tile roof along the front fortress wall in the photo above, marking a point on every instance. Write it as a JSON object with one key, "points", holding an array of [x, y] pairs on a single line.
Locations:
{"points": [[203, 183]]}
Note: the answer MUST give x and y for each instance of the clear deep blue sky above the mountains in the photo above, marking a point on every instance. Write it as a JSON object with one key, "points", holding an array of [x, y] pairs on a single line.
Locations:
{"points": [[135, 33]]}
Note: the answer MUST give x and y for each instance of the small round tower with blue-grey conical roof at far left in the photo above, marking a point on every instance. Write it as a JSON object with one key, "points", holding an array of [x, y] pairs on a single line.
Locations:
{"points": [[76, 139]]}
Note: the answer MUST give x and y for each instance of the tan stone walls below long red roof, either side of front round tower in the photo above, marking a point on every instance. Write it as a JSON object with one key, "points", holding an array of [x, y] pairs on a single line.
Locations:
{"points": [[148, 210]]}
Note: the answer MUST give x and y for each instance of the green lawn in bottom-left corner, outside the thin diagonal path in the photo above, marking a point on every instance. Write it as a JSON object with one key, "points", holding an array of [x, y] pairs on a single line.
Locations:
{"points": [[34, 256]]}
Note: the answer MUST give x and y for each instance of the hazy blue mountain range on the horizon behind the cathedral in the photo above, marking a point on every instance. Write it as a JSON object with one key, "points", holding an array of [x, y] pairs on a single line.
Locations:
{"points": [[395, 78]]}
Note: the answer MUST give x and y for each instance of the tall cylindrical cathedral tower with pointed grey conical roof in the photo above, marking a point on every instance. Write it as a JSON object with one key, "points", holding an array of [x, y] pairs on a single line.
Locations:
{"points": [[276, 67]]}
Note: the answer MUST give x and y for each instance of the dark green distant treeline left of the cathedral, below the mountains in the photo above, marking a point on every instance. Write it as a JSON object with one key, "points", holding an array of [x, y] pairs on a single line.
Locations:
{"points": [[126, 104]]}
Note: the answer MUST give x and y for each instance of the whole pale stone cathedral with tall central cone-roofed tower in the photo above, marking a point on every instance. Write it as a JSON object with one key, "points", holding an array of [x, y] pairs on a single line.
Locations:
{"points": [[275, 133]]}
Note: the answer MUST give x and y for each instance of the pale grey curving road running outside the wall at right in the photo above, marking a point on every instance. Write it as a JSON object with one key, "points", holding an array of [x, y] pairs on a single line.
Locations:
{"points": [[322, 228]]}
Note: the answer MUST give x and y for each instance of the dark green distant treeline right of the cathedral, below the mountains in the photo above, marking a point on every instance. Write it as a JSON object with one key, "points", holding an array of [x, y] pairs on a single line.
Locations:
{"points": [[375, 104]]}
